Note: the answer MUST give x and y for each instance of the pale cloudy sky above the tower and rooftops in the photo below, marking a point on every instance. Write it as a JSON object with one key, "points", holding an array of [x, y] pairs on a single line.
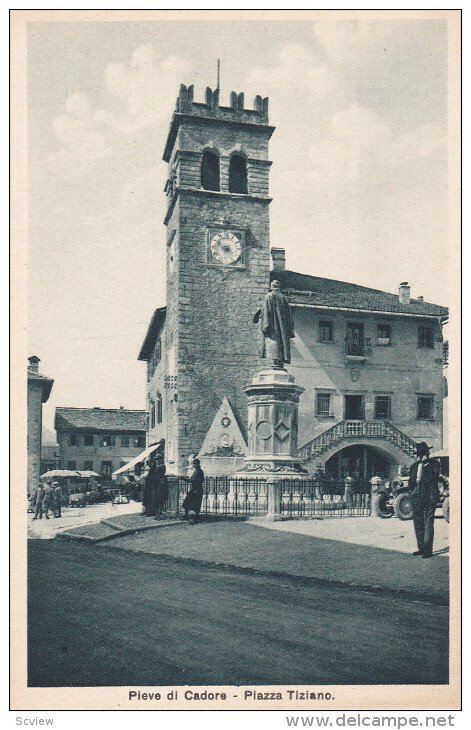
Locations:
{"points": [[359, 175]]}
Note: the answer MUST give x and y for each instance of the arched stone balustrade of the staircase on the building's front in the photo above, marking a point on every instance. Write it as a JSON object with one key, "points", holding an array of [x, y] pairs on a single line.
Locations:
{"points": [[356, 429]]}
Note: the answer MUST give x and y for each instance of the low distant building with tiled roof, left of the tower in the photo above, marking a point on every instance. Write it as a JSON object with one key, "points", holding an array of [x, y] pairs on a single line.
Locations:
{"points": [[99, 439]]}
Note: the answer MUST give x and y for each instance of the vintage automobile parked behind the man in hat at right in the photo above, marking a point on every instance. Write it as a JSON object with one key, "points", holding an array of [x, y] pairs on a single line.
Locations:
{"points": [[393, 498]]}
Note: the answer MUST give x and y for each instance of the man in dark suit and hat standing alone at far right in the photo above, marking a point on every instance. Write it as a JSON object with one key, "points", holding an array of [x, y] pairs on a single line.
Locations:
{"points": [[423, 481]]}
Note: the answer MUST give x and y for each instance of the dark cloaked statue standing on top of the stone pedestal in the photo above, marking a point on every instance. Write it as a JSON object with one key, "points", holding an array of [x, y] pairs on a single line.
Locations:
{"points": [[277, 326]]}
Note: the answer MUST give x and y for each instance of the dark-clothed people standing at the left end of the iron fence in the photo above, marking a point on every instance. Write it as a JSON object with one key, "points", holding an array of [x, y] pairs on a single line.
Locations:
{"points": [[156, 489]]}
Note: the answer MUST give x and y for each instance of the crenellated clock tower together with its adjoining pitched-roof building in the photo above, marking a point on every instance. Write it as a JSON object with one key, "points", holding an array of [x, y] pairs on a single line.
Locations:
{"points": [[370, 361]]}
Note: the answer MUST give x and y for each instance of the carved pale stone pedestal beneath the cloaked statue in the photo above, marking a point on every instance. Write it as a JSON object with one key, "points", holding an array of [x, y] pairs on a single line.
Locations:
{"points": [[272, 426]]}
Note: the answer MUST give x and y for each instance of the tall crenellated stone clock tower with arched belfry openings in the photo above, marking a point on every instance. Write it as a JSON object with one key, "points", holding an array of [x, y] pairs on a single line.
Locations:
{"points": [[217, 260]]}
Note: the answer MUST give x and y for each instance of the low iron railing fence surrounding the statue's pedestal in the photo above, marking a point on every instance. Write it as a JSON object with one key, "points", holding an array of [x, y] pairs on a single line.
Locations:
{"points": [[228, 496]]}
